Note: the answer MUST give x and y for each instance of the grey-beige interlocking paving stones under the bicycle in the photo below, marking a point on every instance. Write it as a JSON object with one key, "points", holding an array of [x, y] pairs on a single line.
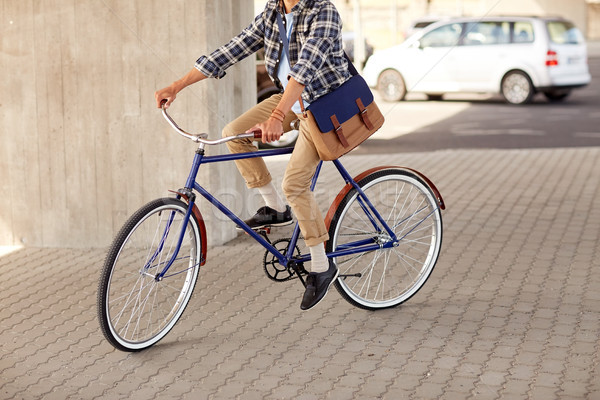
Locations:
{"points": [[512, 310]]}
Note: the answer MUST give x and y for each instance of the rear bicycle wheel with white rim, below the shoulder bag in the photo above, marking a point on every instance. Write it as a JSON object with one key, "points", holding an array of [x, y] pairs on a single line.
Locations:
{"points": [[387, 276]]}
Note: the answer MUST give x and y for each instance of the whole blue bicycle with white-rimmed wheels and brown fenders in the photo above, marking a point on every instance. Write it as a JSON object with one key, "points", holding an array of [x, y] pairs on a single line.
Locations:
{"points": [[385, 229]]}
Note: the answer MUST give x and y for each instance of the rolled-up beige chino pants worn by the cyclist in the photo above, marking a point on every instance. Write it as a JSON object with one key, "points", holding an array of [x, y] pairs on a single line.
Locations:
{"points": [[298, 174]]}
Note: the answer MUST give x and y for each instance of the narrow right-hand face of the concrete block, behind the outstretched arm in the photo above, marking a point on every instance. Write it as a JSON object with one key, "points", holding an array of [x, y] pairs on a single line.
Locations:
{"points": [[220, 102]]}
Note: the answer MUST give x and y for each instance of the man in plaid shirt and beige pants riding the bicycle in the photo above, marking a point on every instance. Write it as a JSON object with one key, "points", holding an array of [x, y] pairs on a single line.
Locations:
{"points": [[316, 66]]}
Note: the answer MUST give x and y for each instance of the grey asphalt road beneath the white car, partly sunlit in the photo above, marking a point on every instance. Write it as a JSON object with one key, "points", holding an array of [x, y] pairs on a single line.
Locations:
{"points": [[477, 122]]}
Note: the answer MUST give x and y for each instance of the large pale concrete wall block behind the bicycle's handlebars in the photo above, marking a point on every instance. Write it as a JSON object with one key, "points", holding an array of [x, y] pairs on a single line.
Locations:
{"points": [[83, 145]]}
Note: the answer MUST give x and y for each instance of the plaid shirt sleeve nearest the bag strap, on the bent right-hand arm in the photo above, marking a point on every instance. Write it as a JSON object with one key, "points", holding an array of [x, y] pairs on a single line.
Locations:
{"points": [[324, 30]]}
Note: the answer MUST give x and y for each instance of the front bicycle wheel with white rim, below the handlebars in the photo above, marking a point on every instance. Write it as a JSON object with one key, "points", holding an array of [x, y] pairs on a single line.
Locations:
{"points": [[136, 308]]}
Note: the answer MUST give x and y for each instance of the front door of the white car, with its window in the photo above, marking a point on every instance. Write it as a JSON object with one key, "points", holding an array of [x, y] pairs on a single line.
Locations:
{"points": [[428, 72]]}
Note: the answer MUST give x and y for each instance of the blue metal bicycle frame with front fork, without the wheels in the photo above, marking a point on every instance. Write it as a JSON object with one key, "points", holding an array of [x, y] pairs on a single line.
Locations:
{"points": [[351, 248]]}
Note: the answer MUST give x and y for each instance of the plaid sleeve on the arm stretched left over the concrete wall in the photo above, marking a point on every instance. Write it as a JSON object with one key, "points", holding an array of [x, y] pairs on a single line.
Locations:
{"points": [[249, 41]]}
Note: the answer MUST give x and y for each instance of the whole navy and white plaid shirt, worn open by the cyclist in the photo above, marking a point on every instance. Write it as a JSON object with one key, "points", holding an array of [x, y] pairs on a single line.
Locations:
{"points": [[316, 53]]}
